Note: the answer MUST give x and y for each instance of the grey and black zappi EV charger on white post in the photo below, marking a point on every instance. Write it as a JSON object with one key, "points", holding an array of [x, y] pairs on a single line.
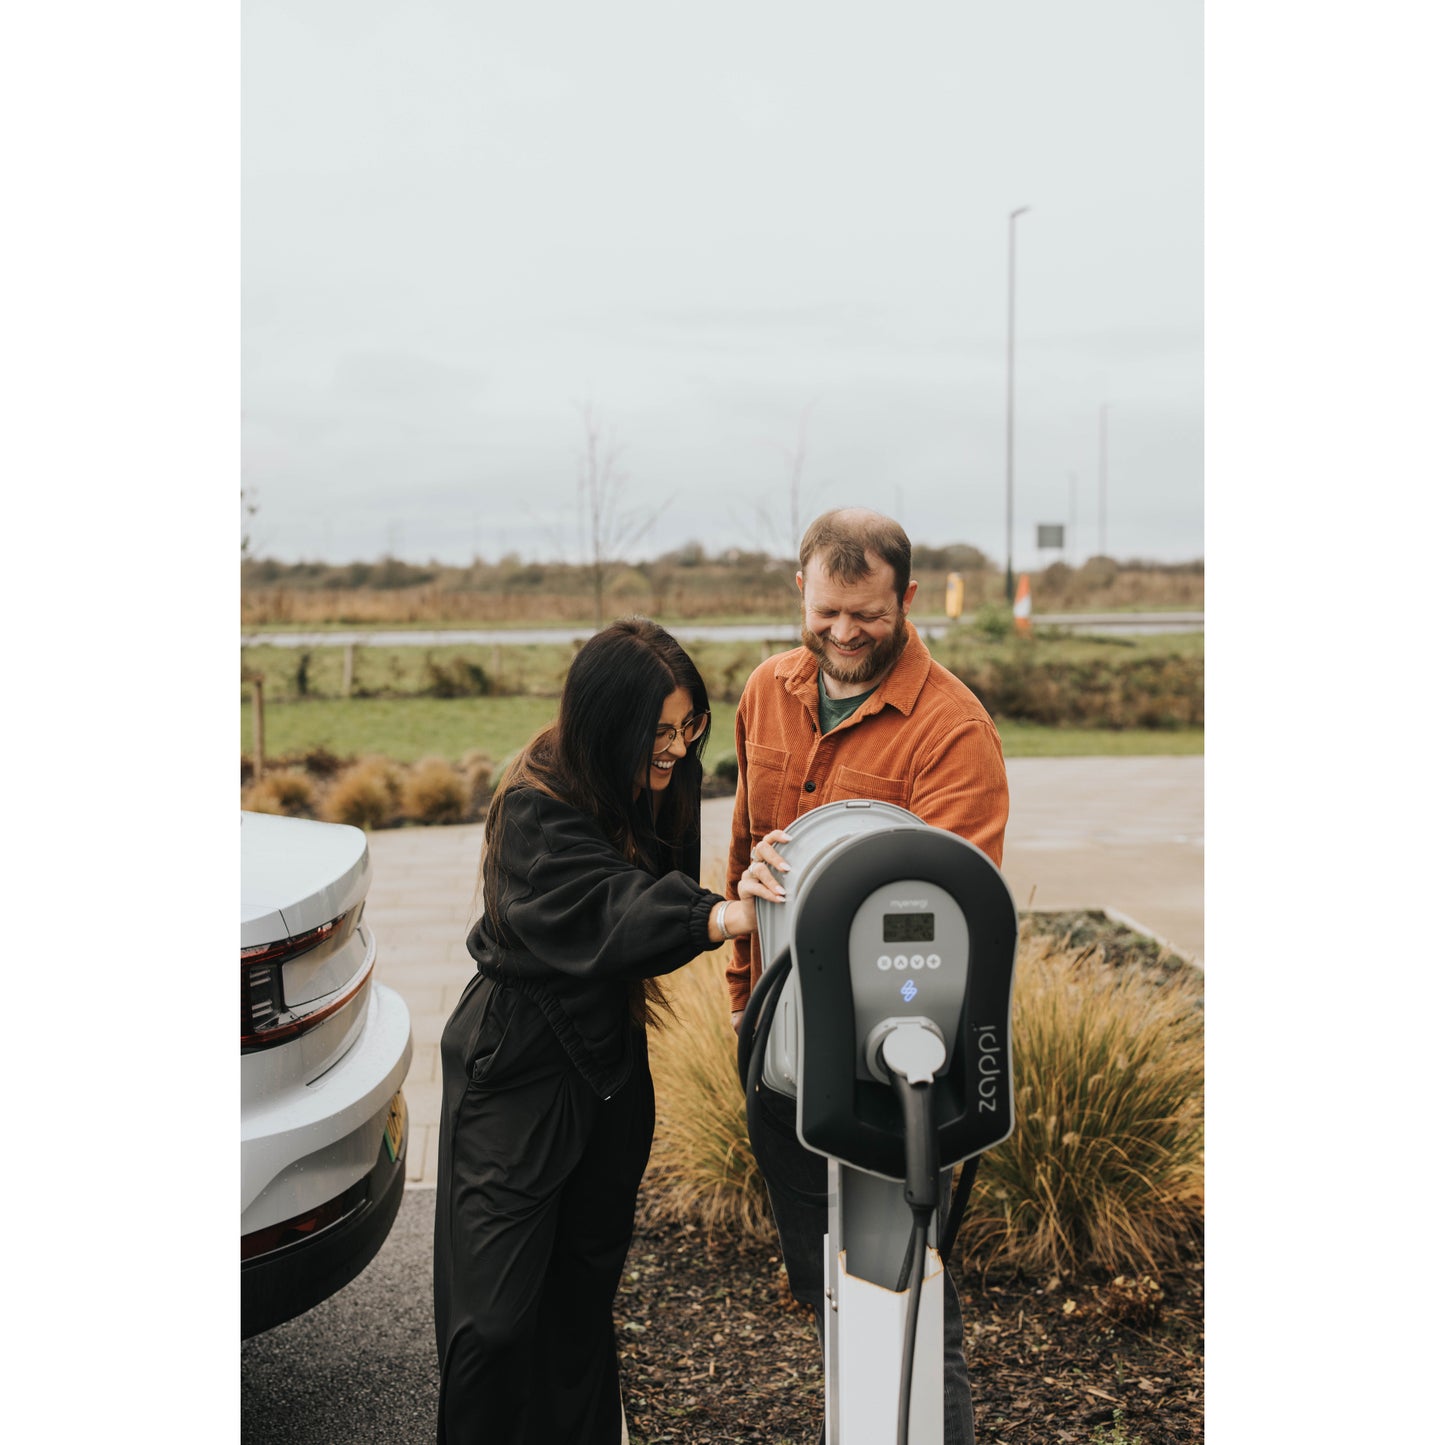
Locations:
{"points": [[888, 976]]}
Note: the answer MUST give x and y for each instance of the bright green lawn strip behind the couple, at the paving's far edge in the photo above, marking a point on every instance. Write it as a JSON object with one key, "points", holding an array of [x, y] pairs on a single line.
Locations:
{"points": [[410, 729]]}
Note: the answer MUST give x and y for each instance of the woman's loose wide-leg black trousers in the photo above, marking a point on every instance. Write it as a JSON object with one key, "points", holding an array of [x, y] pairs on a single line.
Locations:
{"points": [[535, 1193]]}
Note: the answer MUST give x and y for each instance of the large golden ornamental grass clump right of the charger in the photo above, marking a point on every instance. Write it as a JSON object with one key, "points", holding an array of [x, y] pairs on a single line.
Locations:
{"points": [[1105, 1168]]}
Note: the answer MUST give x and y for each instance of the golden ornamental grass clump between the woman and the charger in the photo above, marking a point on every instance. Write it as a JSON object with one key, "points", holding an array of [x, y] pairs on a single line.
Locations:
{"points": [[703, 1170]]}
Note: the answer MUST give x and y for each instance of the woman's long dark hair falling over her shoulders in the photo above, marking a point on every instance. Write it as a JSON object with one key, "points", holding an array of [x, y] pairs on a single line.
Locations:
{"points": [[599, 746]]}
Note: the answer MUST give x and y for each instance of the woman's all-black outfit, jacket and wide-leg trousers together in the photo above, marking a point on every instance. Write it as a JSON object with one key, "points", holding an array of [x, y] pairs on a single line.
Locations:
{"points": [[547, 1125]]}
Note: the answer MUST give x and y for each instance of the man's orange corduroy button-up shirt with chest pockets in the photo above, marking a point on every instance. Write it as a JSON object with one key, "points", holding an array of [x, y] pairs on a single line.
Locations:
{"points": [[923, 742]]}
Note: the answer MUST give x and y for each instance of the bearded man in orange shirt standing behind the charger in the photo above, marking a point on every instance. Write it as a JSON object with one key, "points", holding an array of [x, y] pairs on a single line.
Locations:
{"points": [[859, 712]]}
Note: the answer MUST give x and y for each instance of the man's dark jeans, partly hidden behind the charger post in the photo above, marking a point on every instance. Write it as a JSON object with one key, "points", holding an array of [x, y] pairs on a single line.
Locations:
{"points": [[801, 1229]]}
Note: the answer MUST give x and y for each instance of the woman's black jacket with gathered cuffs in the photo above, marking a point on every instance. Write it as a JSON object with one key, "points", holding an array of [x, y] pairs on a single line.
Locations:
{"points": [[573, 924]]}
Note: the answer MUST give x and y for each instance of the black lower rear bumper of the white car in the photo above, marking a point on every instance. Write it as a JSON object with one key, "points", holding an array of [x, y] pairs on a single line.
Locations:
{"points": [[307, 1259]]}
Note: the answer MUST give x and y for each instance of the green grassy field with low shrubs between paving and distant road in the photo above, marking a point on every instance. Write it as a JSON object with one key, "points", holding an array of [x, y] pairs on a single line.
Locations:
{"points": [[446, 702]]}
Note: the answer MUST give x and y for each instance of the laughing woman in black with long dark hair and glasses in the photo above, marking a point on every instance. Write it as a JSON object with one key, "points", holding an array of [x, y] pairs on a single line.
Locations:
{"points": [[590, 887]]}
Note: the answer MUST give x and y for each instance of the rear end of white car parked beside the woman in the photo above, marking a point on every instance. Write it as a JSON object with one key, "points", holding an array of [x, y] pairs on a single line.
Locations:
{"points": [[324, 1051]]}
